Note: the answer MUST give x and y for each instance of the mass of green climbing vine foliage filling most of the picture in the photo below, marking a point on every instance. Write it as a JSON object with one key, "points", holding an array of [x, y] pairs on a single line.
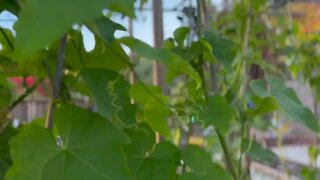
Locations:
{"points": [[205, 85]]}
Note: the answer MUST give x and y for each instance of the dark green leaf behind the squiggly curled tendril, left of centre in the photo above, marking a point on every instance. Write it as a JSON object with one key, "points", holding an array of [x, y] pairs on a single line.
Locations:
{"points": [[111, 94]]}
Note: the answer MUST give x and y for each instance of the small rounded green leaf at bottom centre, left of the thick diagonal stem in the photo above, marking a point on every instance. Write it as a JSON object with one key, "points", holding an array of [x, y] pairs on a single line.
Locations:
{"points": [[196, 158]]}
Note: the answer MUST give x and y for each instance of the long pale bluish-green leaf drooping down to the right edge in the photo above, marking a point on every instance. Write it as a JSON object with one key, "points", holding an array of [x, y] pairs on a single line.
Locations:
{"points": [[288, 101]]}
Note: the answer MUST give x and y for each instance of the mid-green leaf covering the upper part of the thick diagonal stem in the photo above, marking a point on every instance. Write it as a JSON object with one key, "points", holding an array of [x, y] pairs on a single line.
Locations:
{"points": [[218, 113]]}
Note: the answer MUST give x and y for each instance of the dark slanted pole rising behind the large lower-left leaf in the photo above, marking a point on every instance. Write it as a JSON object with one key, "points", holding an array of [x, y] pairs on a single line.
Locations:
{"points": [[57, 82]]}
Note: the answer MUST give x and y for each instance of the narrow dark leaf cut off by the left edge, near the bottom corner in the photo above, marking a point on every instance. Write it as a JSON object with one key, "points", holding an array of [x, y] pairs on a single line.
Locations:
{"points": [[5, 158]]}
